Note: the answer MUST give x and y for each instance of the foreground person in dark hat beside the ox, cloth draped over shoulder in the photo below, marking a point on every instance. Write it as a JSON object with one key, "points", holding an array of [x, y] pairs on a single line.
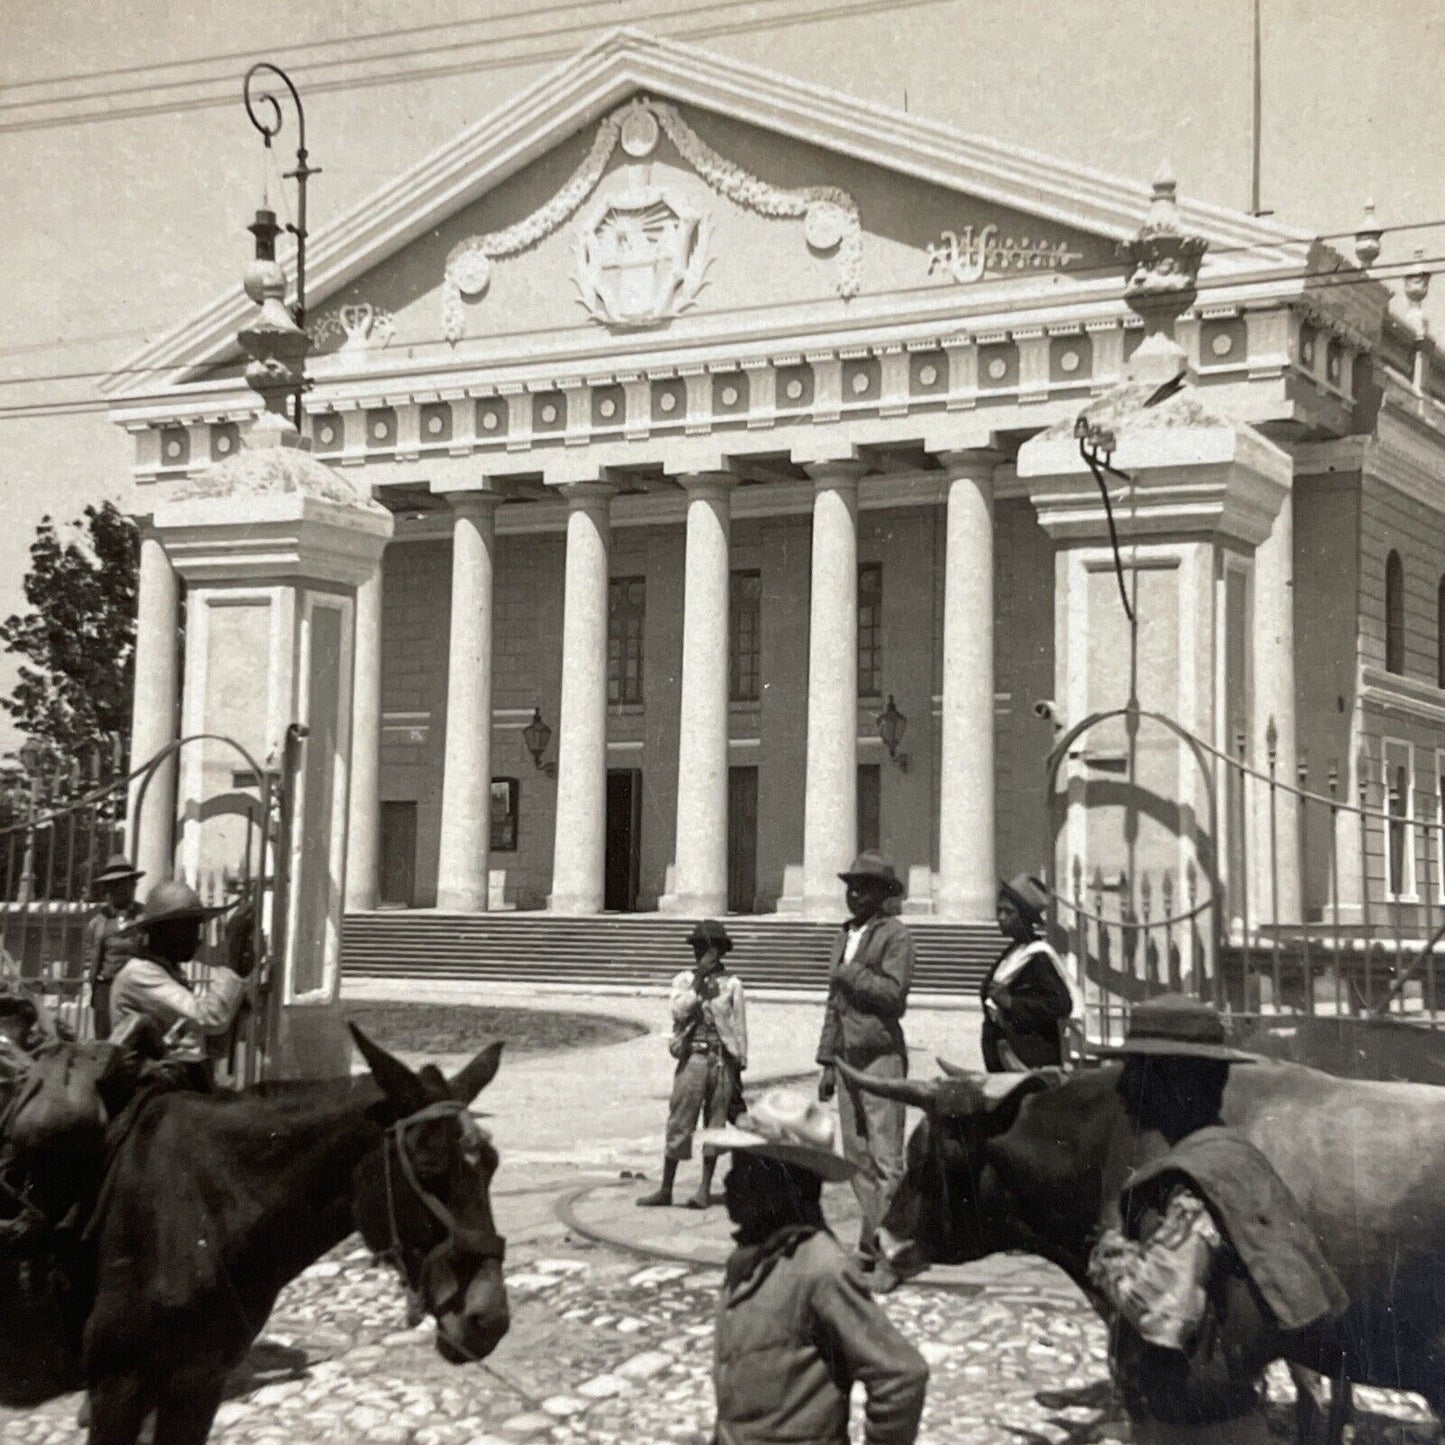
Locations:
{"points": [[1213, 1256]]}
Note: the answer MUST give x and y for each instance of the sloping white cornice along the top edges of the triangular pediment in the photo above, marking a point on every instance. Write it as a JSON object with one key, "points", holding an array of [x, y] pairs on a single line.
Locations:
{"points": [[626, 63]]}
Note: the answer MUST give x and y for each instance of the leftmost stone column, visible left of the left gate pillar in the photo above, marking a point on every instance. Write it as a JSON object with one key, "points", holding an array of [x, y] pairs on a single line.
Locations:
{"points": [[154, 713]]}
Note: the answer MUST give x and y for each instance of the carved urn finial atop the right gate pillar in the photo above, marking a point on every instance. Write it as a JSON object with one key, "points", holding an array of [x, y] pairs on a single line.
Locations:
{"points": [[1163, 281]]}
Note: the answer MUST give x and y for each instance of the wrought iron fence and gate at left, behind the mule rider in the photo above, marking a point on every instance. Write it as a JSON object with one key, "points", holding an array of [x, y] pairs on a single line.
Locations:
{"points": [[63, 821]]}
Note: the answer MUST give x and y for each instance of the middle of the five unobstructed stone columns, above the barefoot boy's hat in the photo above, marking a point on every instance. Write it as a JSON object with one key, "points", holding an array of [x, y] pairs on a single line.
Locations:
{"points": [[700, 885]]}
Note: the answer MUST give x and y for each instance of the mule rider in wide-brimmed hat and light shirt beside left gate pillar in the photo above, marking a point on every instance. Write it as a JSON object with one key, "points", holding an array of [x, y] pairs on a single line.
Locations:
{"points": [[152, 985]]}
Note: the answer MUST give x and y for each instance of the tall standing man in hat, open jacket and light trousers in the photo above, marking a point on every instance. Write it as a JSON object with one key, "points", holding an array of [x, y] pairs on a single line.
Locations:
{"points": [[869, 978]]}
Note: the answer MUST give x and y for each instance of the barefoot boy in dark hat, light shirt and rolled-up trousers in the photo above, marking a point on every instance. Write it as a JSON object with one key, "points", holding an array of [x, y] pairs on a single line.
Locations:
{"points": [[710, 1044]]}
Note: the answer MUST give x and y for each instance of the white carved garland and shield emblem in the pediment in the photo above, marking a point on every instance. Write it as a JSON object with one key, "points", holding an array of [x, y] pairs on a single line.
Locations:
{"points": [[642, 258]]}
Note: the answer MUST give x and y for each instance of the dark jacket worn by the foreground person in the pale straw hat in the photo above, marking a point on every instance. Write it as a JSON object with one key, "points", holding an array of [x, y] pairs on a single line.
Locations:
{"points": [[795, 1329]]}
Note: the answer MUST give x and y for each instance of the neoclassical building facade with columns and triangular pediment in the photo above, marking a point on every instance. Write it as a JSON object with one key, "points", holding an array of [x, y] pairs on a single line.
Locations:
{"points": [[728, 428]]}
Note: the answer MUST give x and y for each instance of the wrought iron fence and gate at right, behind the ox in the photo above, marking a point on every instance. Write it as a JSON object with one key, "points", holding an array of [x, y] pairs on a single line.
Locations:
{"points": [[1291, 900]]}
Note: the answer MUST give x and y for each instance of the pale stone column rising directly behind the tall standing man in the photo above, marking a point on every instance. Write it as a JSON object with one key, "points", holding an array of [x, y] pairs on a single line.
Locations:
{"points": [[832, 785]]}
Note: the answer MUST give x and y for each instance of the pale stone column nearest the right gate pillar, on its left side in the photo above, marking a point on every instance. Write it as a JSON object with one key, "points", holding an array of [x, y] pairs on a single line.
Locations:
{"points": [[967, 876]]}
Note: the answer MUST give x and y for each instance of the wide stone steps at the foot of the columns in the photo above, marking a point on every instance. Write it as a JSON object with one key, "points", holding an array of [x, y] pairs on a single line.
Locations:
{"points": [[631, 950]]}
